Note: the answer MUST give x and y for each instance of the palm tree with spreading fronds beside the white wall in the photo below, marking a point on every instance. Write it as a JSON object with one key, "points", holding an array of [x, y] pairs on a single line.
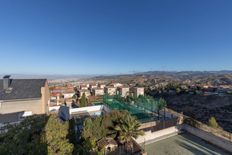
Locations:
{"points": [[126, 129]]}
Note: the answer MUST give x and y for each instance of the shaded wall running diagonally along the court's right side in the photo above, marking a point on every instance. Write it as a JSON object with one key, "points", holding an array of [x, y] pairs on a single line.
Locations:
{"points": [[220, 142]]}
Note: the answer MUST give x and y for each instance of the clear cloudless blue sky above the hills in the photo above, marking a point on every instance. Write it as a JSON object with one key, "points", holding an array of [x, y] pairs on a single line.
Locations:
{"points": [[114, 36]]}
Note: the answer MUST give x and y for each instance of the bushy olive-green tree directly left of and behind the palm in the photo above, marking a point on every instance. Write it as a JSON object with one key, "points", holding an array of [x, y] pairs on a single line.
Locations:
{"points": [[97, 128]]}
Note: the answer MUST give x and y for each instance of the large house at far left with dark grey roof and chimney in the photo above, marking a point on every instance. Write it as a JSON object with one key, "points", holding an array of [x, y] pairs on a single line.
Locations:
{"points": [[22, 96]]}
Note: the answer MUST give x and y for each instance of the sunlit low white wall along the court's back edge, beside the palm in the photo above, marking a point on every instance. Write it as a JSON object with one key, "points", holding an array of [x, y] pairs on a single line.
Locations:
{"points": [[150, 137]]}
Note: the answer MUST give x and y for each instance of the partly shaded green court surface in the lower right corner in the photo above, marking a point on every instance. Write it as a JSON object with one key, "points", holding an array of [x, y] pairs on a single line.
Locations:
{"points": [[184, 144]]}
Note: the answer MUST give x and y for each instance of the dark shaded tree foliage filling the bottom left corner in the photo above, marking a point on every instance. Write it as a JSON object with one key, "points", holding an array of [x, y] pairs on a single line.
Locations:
{"points": [[24, 138]]}
